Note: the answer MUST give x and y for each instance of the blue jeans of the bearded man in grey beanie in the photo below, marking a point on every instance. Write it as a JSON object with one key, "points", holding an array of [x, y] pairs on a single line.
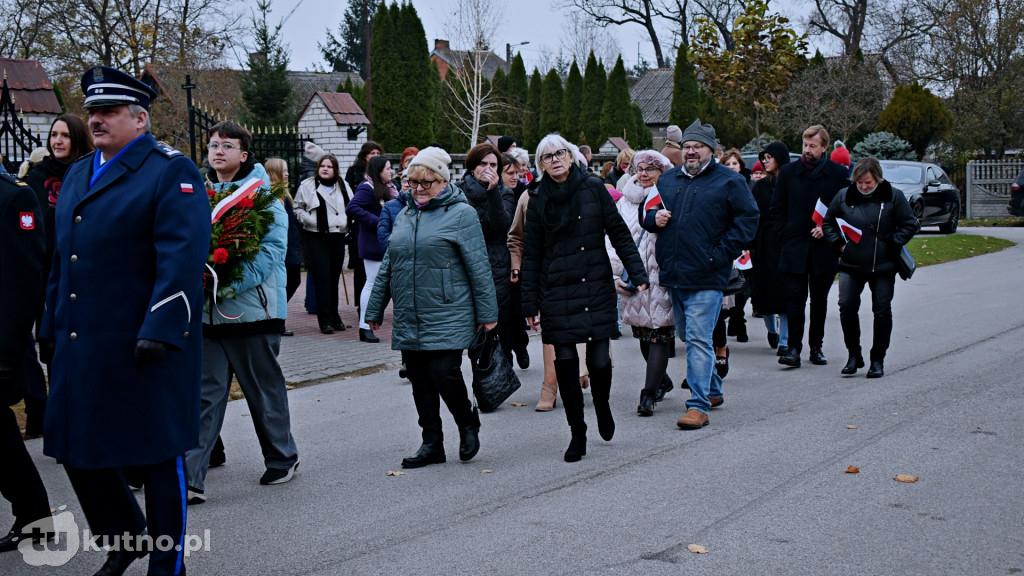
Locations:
{"points": [[697, 312]]}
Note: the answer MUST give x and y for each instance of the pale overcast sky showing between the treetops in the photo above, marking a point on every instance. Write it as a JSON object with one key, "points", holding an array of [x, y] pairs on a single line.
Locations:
{"points": [[526, 21]]}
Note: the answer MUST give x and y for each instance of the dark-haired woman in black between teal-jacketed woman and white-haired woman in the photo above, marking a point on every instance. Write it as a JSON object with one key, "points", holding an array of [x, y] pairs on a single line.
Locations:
{"points": [[495, 204]]}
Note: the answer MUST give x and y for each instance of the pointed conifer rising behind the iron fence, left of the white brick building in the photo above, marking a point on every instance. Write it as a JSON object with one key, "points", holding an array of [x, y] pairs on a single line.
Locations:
{"points": [[266, 90]]}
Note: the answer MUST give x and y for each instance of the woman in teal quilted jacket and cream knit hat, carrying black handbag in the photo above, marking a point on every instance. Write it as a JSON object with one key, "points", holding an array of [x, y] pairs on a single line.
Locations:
{"points": [[437, 271]]}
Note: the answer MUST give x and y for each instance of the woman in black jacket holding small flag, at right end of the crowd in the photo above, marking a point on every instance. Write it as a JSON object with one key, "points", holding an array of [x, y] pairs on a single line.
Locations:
{"points": [[883, 219]]}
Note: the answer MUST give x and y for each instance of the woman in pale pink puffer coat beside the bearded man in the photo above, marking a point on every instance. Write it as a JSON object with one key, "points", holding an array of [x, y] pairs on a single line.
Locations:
{"points": [[649, 313]]}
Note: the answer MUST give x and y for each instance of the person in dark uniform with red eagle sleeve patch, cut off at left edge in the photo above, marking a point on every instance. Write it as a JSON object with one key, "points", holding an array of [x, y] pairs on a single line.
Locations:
{"points": [[22, 241]]}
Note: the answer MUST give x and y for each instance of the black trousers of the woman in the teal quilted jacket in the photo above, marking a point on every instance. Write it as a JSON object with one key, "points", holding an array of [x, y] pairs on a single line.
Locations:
{"points": [[437, 376]]}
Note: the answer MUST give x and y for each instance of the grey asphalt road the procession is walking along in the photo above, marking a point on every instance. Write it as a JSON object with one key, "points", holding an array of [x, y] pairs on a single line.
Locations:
{"points": [[764, 488]]}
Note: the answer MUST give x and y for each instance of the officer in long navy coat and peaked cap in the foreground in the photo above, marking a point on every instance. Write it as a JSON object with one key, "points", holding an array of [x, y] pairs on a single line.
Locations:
{"points": [[123, 320]]}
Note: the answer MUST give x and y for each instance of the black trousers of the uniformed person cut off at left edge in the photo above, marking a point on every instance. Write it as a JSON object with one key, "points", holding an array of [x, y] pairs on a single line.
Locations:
{"points": [[20, 483]]}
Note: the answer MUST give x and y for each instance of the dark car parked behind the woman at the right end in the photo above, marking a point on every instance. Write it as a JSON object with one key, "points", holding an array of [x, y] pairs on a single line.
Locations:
{"points": [[933, 197]]}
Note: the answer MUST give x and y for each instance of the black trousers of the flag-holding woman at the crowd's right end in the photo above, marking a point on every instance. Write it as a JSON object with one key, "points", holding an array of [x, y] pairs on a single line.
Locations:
{"points": [[850, 286]]}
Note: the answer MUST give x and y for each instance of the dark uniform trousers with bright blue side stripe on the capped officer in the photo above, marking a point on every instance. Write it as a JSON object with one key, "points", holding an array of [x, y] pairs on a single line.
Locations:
{"points": [[112, 510]]}
